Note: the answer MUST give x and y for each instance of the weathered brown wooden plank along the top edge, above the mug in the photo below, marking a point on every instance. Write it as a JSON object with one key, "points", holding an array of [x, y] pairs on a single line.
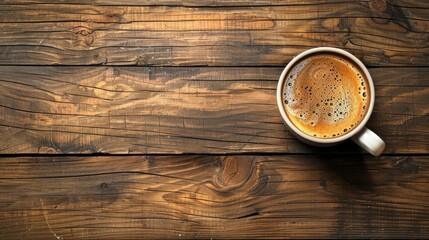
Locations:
{"points": [[391, 33]]}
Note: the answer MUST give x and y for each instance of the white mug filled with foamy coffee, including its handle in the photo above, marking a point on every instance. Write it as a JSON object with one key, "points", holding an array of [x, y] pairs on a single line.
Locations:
{"points": [[325, 96]]}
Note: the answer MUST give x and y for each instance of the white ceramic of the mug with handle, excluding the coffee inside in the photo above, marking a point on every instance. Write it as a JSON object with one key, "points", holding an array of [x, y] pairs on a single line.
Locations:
{"points": [[361, 135]]}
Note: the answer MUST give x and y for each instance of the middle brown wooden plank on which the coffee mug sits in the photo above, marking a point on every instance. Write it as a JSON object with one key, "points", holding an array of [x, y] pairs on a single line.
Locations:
{"points": [[183, 110]]}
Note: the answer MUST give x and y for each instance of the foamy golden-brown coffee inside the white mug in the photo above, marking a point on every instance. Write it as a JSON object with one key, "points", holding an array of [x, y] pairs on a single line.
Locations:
{"points": [[325, 95]]}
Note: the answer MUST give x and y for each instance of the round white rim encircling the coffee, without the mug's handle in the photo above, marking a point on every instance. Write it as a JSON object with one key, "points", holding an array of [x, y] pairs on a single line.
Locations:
{"points": [[300, 133]]}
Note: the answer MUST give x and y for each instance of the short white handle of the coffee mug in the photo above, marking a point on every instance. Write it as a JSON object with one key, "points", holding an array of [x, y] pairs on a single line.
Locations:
{"points": [[369, 141]]}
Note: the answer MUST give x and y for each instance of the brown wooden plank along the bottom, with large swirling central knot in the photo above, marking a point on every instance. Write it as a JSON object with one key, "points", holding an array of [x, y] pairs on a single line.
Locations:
{"points": [[214, 197]]}
